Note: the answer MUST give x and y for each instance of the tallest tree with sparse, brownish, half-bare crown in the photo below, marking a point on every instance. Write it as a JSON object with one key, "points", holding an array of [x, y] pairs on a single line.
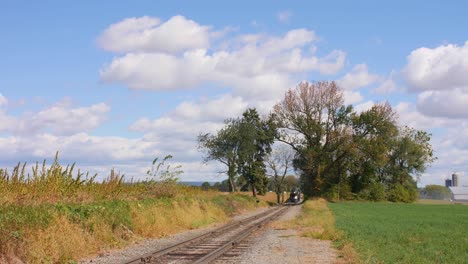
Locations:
{"points": [[314, 121]]}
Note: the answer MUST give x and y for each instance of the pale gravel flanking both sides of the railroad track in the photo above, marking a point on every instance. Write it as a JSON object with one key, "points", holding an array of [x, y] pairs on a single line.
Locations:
{"points": [[268, 246]]}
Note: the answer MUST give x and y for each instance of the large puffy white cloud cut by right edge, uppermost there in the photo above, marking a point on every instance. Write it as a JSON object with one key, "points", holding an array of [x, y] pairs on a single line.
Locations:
{"points": [[440, 68]]}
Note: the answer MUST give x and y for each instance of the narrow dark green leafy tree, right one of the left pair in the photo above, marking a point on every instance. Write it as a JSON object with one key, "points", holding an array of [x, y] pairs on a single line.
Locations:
{"points": [[256, 137]]}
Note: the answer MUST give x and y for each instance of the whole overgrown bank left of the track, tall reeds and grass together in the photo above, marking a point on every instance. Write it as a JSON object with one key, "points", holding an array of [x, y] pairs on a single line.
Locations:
{"points": [[56, 215]]}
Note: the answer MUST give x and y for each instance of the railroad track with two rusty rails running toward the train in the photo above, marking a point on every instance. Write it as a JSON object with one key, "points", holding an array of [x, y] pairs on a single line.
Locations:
{"points": [[211, 245]]}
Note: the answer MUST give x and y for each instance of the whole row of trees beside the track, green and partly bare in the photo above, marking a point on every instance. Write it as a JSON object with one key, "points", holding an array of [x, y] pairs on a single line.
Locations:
{"points": [[338, 153]]}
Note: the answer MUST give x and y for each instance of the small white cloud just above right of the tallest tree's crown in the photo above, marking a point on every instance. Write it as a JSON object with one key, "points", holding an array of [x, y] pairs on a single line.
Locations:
{"points": [[358, 77]]}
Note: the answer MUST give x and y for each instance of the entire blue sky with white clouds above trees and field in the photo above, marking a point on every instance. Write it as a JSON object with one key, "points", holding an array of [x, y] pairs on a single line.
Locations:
{"points": [[117, 83]]}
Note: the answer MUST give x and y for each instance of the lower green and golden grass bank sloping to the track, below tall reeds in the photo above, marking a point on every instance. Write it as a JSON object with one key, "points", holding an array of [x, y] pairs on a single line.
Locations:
{"points": [[75, 231]]}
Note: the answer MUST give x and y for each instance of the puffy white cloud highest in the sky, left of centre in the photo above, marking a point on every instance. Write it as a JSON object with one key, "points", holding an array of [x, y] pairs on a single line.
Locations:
{"points": [[148, 34]]}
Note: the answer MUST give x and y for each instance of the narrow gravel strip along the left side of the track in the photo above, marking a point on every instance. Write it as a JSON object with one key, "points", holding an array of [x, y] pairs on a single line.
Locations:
{"points": [[146, 246]]}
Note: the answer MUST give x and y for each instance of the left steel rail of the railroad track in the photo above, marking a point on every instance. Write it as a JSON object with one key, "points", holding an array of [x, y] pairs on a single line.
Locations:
{"points": [[150, 256]]}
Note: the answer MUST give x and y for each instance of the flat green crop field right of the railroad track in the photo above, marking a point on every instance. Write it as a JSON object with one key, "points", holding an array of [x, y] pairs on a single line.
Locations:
{"points": [[405, 233]]}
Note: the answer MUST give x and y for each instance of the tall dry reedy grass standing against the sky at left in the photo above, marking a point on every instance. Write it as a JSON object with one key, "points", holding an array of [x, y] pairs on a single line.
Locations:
{"points": [[64, 184]]}
